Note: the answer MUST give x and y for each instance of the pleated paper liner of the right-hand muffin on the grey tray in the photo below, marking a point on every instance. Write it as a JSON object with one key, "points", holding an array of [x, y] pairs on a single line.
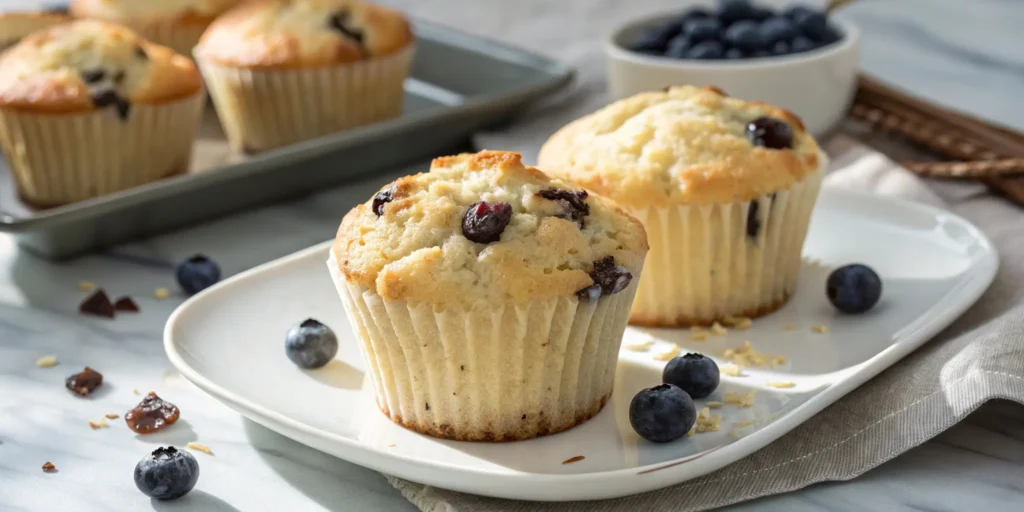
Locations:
{"points": [[267, 109]]}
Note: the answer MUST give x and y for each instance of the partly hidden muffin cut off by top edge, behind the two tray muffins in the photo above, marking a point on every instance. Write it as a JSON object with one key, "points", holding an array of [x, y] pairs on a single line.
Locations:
{"points": [[178, 24]]}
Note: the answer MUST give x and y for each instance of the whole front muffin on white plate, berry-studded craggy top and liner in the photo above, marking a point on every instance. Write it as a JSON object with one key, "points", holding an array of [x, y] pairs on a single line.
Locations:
{"points": [[490, 301]]}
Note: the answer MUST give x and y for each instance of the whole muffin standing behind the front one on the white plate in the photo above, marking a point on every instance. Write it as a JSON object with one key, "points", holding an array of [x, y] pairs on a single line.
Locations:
{"points": [[726, 189]]}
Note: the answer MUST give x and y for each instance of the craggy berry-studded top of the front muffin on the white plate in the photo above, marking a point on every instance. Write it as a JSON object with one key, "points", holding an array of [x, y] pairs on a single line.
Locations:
{"points": [[410, 242]]}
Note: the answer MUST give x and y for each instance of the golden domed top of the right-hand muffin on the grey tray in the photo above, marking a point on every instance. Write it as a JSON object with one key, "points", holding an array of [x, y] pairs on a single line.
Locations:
{"points": [[304, 33]]}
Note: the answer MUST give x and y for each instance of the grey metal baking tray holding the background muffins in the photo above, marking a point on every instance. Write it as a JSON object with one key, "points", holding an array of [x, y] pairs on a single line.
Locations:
{"points": [[459, 84]]}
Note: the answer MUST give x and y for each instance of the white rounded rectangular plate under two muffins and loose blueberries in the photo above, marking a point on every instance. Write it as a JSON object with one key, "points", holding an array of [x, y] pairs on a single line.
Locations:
{"points": [[230, 342]]}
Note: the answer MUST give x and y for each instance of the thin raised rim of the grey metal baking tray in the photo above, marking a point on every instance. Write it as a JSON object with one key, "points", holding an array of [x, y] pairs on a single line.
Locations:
{"points": [[561, 76]]}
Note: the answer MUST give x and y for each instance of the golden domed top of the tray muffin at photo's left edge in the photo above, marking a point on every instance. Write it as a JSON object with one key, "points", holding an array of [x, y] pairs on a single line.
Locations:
{"points": [[87, 65]]}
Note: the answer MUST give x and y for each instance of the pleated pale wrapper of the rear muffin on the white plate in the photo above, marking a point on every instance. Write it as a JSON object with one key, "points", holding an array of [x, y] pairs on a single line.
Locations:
{"points": [[711, 262]]}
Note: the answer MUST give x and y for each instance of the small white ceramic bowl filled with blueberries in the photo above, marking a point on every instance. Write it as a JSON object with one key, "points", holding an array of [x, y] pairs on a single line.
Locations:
{"points": [[817, 86]]}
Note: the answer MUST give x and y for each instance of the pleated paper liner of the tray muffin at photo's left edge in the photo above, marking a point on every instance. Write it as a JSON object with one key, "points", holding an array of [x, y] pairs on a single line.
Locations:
{"points": [[58, 159]]}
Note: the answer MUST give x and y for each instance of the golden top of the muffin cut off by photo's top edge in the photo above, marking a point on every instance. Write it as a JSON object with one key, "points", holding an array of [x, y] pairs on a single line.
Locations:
{"points": [[144, 12]]}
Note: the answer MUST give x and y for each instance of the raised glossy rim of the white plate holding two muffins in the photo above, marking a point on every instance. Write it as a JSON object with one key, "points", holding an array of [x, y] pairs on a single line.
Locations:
{"points": [[616, 484]]}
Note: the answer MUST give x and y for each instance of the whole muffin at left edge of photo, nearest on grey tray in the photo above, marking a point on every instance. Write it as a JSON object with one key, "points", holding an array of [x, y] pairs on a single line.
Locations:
{"points": [[91, 108]]}
